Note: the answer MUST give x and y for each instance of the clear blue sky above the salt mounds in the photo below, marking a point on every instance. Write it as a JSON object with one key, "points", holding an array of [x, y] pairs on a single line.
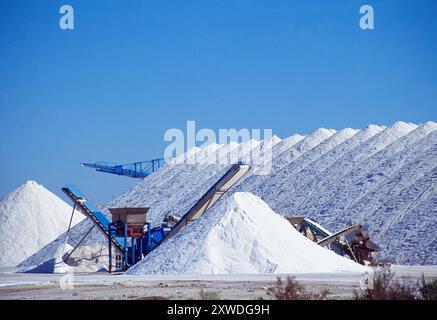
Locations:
{"points": [[130, 70]]}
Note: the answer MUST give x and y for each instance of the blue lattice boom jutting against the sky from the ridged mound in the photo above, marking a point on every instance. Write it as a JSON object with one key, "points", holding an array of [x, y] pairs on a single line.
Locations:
{"points": [[139, 169]]}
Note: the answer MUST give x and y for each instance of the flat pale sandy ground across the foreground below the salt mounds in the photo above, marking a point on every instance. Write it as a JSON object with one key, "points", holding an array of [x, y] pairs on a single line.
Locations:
{"points": [[106, 286]]}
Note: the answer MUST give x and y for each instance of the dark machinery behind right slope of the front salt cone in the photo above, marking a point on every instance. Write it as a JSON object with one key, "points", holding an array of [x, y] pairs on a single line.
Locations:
{"points": [[352, 241]]}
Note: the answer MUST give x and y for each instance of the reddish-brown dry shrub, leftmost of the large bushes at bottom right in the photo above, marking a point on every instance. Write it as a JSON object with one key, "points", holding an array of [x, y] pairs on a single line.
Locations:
{"points": [[293, 290]]}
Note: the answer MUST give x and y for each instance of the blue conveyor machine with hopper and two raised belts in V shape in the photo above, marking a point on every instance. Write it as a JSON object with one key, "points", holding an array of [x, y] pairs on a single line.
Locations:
{"points": [[129, 233]]}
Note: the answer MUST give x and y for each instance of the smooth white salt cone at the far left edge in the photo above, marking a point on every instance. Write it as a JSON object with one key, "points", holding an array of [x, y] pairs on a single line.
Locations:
{"points": [[30, 218]]}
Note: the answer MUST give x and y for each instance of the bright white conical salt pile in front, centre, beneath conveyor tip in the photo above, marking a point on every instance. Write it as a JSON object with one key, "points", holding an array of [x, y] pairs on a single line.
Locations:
{"points": [[242, 235]]}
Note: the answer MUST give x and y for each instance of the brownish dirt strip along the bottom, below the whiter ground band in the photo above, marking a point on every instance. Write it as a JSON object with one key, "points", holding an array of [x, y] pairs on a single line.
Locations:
{"points": [[251, 290]]}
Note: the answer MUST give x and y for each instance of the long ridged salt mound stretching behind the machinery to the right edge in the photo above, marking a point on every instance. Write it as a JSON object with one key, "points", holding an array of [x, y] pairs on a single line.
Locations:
{"points": [[379, 176]]}
